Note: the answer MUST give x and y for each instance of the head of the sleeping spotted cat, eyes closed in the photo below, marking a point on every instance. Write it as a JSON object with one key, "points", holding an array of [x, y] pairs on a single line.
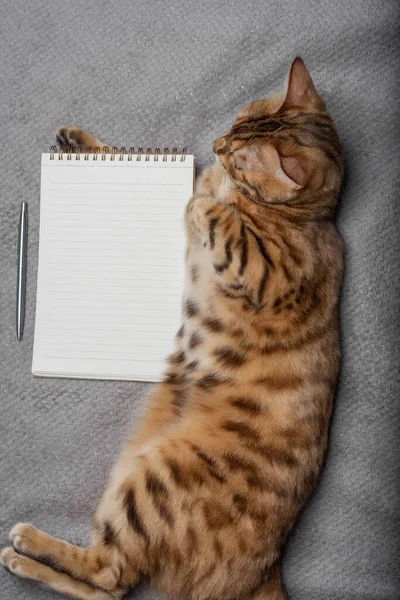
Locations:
{"points": [[284, 148]]}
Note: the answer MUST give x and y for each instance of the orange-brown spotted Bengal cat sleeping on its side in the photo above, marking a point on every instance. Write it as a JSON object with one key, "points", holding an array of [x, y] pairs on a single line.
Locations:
{"points": [[232, 440]]}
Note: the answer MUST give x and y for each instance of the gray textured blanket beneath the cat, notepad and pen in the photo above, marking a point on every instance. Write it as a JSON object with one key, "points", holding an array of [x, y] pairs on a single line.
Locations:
{"points": [[175, 73]]}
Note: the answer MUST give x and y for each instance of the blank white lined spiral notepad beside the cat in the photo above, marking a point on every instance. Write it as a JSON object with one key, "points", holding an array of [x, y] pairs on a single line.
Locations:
{"points": [[111, 254]]}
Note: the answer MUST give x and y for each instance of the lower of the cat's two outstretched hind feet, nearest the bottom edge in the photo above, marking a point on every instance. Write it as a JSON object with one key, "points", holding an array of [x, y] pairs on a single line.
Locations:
{"points": [[27, 568]]}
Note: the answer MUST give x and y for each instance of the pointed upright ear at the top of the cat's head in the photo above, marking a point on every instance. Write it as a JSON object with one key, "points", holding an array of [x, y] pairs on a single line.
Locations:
{"points": [[300, 92]]}
